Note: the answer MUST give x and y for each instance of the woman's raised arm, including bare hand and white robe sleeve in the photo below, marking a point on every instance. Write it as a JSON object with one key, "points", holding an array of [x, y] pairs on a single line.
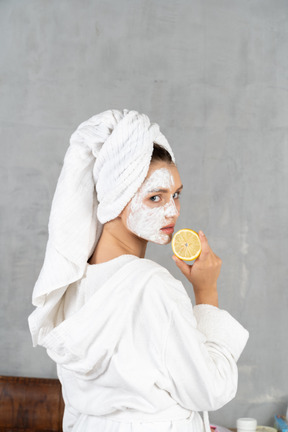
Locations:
{"points": [[203, 347]]}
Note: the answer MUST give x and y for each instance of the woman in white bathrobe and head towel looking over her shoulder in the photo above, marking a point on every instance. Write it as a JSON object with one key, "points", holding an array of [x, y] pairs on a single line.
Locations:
{"points": [[132, 354]]}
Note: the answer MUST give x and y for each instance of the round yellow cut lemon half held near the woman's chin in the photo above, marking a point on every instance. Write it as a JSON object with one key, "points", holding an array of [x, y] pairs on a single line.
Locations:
{"points": [[186, 244]]}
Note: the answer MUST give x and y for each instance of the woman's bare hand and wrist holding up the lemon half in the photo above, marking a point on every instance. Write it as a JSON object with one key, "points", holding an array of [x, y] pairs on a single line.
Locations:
{"points": [[203, 274]]}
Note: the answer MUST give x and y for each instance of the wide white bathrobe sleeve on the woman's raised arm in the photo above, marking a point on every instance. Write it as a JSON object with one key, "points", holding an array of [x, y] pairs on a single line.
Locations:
{"points": [[200, 355]]}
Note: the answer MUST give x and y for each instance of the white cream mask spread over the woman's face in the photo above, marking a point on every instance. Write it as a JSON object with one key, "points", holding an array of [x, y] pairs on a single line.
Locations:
{"points": [[146, 220]]}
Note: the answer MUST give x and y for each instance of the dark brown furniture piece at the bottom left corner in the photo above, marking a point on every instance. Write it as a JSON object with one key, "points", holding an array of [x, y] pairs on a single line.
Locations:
{"points": [[30, 404]]}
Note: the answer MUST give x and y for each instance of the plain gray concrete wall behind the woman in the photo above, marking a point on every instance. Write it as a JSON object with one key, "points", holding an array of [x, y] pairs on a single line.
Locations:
{"points": [[214, 75]]}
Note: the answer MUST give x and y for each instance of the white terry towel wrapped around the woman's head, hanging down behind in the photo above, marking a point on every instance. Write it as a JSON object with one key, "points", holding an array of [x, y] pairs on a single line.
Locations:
{"points": [[111, 151]]}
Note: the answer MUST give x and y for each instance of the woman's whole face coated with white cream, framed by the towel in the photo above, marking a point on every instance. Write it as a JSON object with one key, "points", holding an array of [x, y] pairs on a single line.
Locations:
{"points": [[154, 210]]}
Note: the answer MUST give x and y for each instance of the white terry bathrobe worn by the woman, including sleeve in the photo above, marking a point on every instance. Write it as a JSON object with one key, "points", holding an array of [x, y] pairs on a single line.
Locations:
{"points": [[133, 356]]}
